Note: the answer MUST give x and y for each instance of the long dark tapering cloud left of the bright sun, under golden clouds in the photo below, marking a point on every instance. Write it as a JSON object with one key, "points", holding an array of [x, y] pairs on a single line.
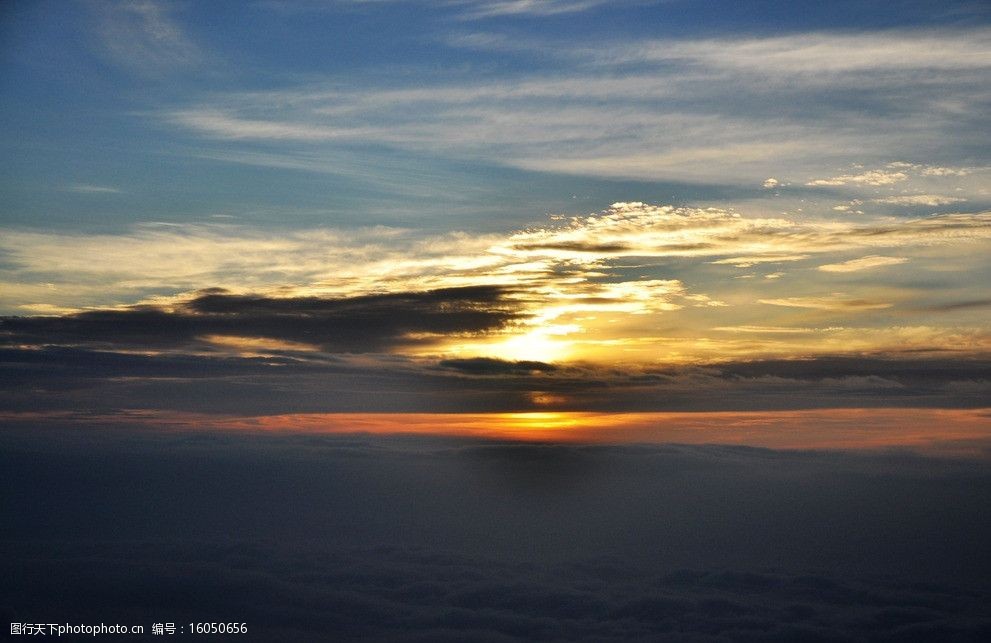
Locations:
{"points": [[354, 325]]}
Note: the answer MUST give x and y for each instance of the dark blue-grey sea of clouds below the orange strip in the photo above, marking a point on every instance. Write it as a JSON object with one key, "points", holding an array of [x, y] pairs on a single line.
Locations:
{"points": [[310, 537]]}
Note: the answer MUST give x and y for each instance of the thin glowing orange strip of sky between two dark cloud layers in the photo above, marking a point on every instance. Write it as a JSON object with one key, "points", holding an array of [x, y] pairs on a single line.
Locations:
{"points": [[963, 431]]}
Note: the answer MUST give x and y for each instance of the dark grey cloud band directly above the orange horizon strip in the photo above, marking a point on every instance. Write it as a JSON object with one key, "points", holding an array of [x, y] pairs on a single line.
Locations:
{"points": [[74, 378]]}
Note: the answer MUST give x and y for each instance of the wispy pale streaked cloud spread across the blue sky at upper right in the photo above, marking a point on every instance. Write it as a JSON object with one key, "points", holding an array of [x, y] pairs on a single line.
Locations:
{"points": [[673, 109]]}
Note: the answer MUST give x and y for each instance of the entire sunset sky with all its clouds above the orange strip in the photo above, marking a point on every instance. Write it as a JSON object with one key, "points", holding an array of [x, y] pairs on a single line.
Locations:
{"points": [[511, 206]]}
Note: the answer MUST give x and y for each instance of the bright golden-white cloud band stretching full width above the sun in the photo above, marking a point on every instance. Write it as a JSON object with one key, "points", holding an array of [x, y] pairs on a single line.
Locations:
{"points": [[566, 256]]}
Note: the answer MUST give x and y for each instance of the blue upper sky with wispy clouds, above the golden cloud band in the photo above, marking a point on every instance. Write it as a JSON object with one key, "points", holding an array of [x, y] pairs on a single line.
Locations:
{"points": [[444, 115]]}
